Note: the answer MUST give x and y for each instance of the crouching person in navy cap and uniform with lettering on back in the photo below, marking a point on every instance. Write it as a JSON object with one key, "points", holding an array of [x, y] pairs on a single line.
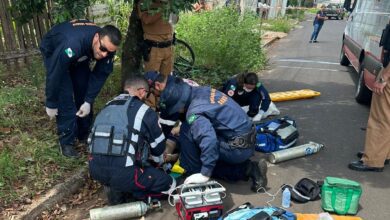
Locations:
{"points": [[216, 136]]}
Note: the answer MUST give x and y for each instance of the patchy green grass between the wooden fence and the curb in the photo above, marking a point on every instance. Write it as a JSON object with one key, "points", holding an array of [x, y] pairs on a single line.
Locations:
{"points": [[30, 161]]}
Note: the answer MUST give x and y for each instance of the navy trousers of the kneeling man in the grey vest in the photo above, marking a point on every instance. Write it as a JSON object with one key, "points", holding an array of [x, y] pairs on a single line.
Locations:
{"points": [[141, 182]]}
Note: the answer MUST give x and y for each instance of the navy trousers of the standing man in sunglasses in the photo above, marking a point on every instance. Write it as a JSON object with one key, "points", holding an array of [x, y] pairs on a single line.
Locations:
{"points": [[73, 89]]}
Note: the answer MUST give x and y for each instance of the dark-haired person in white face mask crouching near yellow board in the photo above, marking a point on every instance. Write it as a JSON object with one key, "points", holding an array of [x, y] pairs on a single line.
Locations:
{"points": [[246, 90]]}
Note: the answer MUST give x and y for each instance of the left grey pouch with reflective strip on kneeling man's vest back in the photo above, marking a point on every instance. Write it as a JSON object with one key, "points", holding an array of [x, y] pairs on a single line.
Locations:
{"points": [[101, 139]]}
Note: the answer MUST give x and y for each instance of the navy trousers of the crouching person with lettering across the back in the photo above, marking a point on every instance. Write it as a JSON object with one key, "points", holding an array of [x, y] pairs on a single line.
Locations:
{"points": [[232, 161]]}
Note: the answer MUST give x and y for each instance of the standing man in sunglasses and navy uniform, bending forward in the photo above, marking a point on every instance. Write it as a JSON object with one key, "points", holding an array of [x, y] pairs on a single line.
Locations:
{"points": [[69, 51]]}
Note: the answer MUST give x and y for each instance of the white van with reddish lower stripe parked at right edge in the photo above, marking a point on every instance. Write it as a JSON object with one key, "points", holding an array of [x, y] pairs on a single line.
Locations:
{"points": [[361, 43]]}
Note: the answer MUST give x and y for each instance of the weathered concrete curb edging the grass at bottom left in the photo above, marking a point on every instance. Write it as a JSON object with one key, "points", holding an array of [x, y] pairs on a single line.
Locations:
{"points": [[55, 195]]}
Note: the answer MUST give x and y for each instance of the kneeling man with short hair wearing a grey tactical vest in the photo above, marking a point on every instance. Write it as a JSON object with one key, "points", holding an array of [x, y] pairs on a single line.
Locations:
{"points": [[127, 170]]}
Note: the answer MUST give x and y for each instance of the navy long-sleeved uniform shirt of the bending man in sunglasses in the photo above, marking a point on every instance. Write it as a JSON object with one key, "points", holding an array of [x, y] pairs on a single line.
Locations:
{"points": [[66, 45]]}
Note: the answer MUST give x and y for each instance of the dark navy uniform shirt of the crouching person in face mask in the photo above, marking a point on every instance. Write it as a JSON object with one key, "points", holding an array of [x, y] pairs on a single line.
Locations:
{"points": [[257, 96]]}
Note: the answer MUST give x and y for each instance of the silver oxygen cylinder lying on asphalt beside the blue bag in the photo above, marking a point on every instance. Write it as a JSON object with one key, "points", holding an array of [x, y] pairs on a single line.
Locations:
{"points": [[295, 152]]}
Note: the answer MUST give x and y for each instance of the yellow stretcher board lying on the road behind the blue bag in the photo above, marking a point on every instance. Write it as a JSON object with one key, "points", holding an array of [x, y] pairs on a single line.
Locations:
{"points": [[293, 95]]}
